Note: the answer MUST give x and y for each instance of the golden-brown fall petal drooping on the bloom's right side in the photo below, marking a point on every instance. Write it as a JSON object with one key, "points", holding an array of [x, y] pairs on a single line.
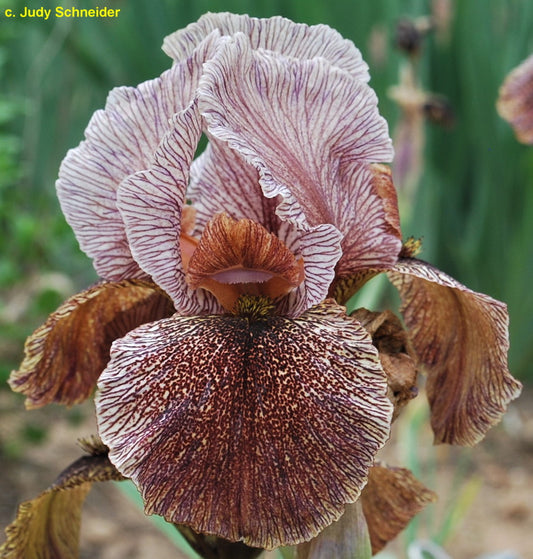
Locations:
{"points": [[461, 338]]}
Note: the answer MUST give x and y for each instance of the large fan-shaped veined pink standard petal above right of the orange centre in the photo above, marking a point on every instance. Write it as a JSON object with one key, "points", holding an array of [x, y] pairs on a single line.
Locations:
{"points": [[295, 121]]}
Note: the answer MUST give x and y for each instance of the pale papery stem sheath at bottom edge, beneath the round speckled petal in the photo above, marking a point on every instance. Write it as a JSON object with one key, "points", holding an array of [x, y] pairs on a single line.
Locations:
{"points": [[347, 538]]}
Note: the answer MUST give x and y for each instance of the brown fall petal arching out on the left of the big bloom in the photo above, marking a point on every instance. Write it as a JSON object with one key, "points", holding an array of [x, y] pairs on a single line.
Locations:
{"points": [[65, 356]]}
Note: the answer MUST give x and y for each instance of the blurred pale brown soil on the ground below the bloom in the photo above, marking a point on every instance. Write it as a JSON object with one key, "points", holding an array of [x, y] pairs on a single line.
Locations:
{"points": [[494, 482]]}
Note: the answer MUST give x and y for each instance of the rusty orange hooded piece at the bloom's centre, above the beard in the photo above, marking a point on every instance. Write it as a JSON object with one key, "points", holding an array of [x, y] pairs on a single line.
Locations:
{"points": [[236, 257]]}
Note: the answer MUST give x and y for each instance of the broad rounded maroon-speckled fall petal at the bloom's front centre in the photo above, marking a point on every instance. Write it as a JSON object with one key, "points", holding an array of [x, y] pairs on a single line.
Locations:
{"points": [[259, 431]]}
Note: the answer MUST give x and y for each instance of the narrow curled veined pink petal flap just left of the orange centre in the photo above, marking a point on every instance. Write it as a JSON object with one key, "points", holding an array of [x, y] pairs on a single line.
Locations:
{"points": [[151, 204]]}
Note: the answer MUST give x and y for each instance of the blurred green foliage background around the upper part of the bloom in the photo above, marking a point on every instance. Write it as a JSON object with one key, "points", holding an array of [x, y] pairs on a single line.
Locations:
{"points": [[473, 207]]}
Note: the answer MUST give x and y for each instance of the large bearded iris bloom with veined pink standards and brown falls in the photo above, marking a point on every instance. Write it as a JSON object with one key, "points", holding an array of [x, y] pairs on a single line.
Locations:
{"points": [[232, 387]]}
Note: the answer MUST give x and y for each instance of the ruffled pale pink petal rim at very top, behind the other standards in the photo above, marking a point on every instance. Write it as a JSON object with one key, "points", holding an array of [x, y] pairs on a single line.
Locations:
{"points": [[277, 34]]}
